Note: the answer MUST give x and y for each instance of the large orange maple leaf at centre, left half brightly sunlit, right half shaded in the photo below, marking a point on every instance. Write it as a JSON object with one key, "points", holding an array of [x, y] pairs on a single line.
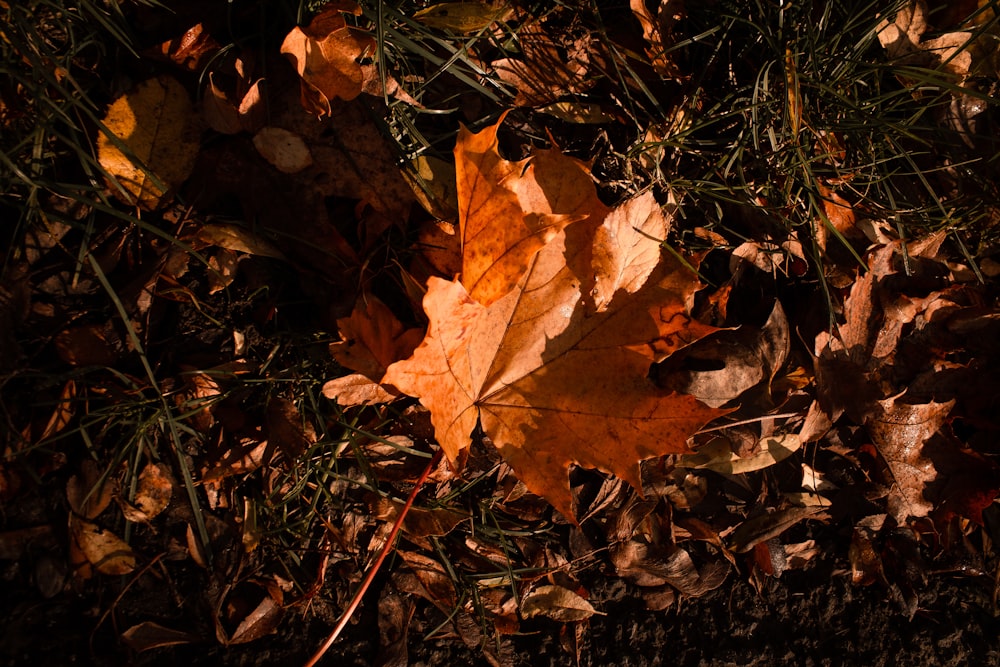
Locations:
{"points": [[553, 378]]}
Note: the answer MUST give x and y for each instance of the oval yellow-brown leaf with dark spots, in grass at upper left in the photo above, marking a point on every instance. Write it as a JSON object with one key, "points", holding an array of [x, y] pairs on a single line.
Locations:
{"points": [[155, 141]]}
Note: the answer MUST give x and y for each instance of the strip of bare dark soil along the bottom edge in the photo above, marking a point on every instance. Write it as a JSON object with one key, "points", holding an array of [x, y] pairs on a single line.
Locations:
{"points": [[815, 616]]}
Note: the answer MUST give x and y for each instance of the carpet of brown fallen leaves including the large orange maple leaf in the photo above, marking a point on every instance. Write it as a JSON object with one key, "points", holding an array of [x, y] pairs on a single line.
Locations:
{"points": [[613, 399]]}
